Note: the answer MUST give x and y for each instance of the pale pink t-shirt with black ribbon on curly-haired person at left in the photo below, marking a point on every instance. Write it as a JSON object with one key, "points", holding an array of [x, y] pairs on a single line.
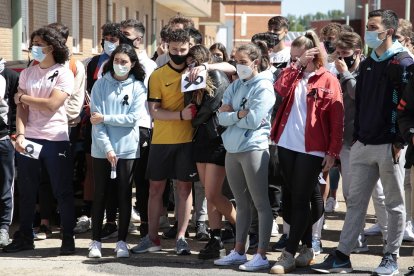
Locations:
{"points": [[39, 83]]}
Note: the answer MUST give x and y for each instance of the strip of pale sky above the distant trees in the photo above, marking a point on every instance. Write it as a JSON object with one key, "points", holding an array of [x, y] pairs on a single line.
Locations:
{"points": [[302, 7]]}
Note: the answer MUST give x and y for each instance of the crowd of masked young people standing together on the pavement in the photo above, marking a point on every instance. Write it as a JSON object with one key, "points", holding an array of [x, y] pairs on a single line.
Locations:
{"points": [[271, 124]]}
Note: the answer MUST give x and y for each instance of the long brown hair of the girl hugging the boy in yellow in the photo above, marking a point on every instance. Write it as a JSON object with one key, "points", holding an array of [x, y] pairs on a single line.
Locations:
{"points": [[201, 54]]}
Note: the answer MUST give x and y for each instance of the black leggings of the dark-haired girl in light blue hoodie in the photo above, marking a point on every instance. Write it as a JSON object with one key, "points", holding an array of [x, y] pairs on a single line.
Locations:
{"points": [[103, 187]]}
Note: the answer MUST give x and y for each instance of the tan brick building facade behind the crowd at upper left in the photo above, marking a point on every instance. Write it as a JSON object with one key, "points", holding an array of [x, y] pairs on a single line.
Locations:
{"points": [[19, 18]]}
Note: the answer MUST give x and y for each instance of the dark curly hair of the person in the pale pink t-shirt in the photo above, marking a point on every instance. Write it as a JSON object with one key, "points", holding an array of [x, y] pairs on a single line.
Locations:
{"points": [[52, 38]]}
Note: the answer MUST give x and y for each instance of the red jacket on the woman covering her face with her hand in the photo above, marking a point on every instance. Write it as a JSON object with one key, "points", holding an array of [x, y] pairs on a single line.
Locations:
{"points": [[325, 110]]}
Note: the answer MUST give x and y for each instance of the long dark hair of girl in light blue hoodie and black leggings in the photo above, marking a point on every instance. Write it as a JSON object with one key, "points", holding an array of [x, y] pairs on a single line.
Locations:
{"points": [[137, 70]]}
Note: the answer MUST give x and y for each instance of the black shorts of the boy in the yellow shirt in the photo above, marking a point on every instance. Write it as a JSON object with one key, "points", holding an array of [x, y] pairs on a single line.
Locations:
{"points": [[173, 161]]}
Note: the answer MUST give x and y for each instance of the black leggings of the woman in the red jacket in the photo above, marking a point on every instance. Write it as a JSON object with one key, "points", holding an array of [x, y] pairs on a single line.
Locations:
{"points": [[300, 172]]}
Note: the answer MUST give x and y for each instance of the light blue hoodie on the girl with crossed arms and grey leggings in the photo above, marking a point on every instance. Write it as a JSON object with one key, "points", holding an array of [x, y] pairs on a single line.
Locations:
{"points": [[251, 132]]}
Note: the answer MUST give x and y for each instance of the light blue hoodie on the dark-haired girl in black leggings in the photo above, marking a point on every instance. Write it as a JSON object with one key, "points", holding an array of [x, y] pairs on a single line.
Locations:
{"points": [[119, 131]]}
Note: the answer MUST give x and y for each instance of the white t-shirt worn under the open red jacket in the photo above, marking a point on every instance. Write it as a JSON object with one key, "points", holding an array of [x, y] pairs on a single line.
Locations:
{"points": [[293, 136]]}
